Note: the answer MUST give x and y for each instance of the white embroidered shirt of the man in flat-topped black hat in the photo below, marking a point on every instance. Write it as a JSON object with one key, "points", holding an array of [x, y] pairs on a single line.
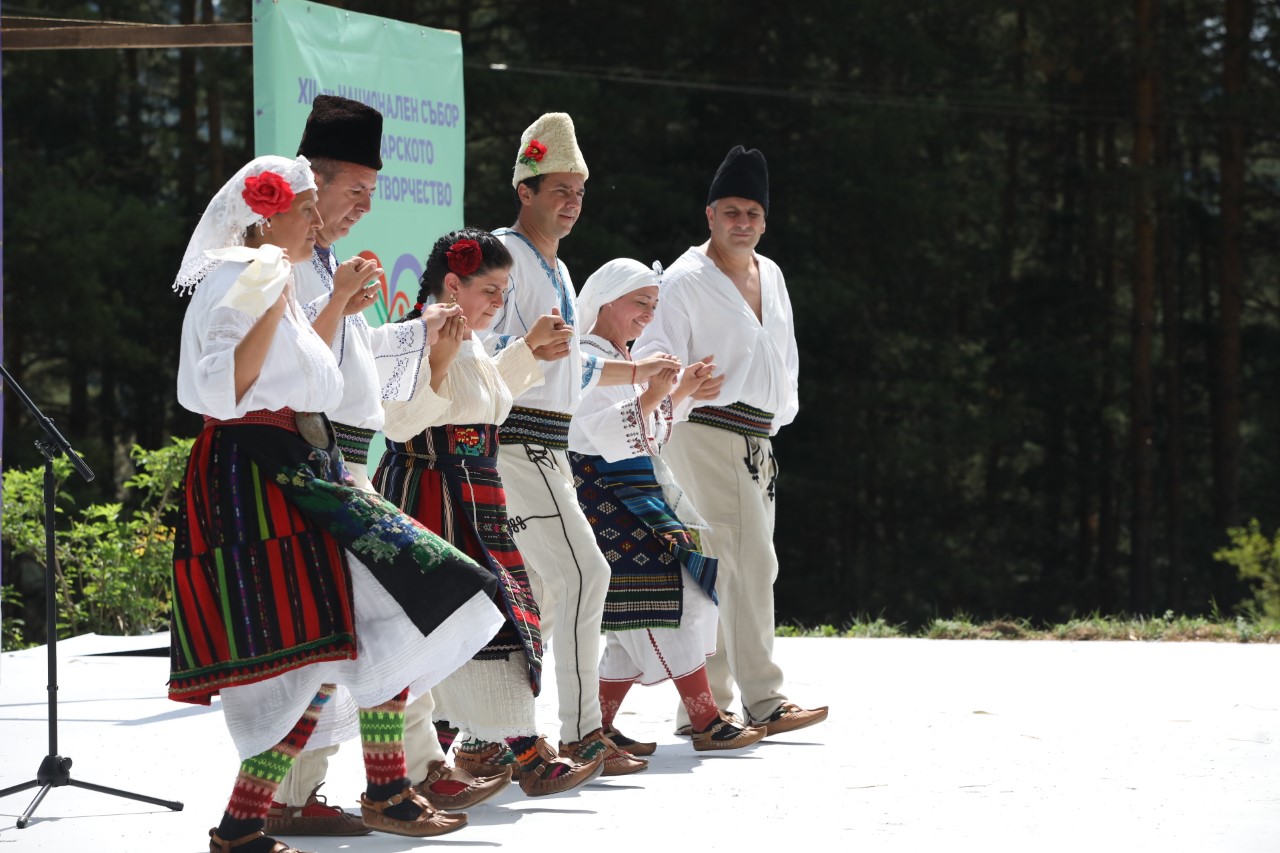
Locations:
{"points": [[377, 363]]}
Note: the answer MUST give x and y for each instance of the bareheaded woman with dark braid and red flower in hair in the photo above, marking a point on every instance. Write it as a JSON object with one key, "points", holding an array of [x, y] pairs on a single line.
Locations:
{"points": [[441, 468]]}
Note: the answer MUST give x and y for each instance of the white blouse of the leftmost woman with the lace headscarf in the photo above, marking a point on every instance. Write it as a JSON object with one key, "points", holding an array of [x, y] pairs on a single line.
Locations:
{"points": [[300, 372]]}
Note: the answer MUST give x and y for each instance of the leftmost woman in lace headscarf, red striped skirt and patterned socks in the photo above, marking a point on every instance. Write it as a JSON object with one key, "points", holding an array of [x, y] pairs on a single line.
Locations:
{"points": [[298, 597]]}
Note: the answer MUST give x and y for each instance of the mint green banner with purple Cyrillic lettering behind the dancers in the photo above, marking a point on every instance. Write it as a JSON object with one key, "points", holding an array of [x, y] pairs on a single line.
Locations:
{"points": [[414, 76]]}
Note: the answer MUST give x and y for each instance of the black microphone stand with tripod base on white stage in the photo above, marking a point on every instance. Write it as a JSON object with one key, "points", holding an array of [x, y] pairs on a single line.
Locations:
{"points": [[56, 772]]}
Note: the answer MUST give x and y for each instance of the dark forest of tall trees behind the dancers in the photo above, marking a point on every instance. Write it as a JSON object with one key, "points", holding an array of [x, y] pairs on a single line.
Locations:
{"points": [[1030, 248]]}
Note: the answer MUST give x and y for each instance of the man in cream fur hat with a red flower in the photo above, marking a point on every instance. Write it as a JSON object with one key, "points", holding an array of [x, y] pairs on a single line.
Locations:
{"points": [[568, 573]]}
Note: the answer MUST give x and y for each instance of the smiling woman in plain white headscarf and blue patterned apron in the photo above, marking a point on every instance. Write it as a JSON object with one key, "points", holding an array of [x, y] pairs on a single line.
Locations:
{"points": [[660, 615]]}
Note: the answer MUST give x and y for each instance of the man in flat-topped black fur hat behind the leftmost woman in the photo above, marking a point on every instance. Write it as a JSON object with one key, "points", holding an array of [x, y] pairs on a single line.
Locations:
{"points": [[344, 143]]}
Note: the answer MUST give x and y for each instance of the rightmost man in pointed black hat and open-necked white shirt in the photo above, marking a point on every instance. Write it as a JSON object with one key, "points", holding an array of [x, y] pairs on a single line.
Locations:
{"points": [[725, 299]]}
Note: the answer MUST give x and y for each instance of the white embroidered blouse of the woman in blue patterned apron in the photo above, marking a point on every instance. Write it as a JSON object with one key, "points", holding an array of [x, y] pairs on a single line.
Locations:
{"points": [[610, 423]]}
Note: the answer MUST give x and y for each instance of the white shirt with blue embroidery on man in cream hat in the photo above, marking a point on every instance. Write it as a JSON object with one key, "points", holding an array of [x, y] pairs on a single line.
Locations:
{"points": [[534, 290]]}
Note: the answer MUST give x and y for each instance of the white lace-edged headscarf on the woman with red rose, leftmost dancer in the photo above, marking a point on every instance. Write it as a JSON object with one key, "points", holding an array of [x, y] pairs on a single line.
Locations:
{"points": [[228, 217]]}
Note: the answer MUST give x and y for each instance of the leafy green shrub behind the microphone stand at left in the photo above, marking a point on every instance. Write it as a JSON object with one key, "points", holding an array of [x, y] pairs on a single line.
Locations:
{"points": [[115, 565]]}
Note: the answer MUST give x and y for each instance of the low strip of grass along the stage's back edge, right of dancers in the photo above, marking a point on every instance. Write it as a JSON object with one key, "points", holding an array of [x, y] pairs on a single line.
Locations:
{"points": [[1169, 628]]}
